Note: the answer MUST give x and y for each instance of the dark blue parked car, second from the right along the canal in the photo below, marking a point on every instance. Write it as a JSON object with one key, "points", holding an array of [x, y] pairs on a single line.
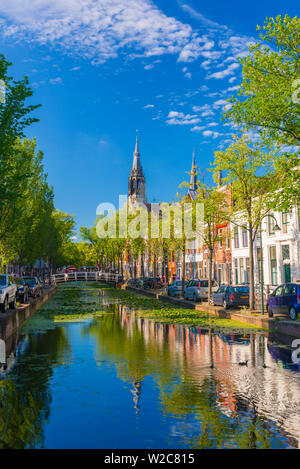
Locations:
{"points": [[228, 296]]}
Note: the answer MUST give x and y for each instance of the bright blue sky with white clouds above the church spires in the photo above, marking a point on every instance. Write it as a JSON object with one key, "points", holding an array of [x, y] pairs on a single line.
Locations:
{"points": [[103, 68]]}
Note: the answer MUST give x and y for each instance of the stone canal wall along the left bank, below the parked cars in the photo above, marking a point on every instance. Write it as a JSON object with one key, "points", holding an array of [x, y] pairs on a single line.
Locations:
{"points": [[12, 319]]}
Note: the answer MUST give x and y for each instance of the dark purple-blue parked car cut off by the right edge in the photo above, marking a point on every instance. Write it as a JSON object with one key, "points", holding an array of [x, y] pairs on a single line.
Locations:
{"points": [[285, 299]]}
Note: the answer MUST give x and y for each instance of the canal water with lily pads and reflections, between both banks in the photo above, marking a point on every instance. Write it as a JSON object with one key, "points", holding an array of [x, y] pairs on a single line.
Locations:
{"points": [[87, 372]]}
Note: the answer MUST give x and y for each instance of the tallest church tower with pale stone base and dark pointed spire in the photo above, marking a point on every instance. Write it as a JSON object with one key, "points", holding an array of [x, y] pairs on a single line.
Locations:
{"points": [[136, 181]]}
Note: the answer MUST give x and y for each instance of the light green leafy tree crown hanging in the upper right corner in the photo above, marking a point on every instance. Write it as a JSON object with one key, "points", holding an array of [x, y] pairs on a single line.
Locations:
{"points": [[268, 98]]}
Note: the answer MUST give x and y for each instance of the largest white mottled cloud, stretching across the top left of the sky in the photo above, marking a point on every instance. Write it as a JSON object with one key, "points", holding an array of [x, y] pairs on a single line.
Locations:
{"points": [[100, 29]]}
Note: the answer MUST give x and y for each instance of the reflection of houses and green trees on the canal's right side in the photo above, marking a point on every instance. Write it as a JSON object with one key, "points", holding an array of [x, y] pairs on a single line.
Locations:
{"points": [[199, 373]]}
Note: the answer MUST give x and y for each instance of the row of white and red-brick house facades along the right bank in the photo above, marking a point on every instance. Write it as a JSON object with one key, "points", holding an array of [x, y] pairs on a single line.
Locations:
{"points": [[280, 253]]}
